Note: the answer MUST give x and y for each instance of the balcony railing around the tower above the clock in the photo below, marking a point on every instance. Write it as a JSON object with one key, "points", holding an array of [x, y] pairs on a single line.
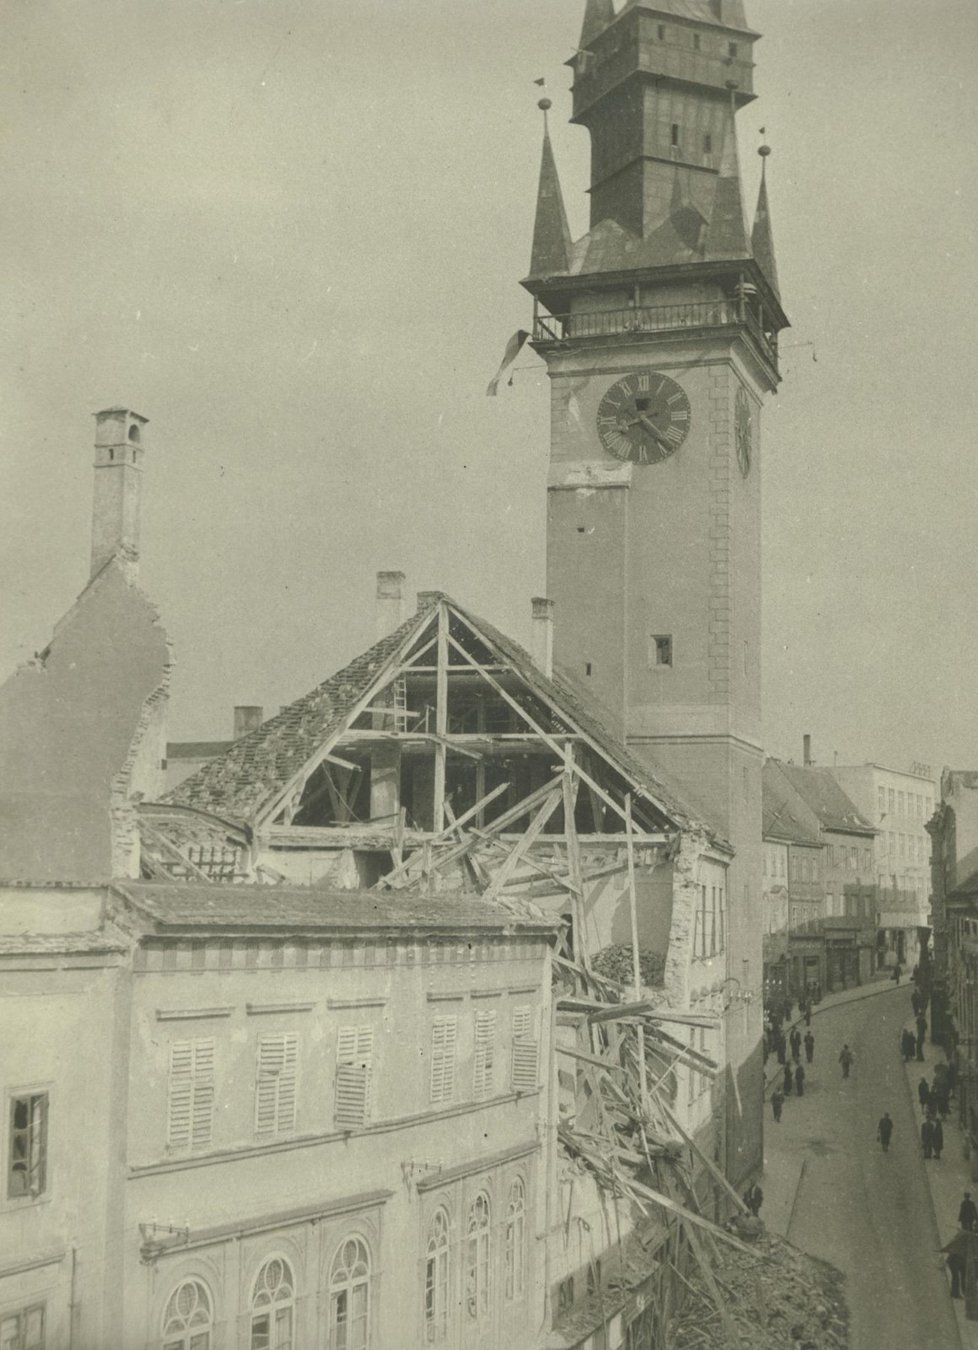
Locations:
{"points": [[656, 319]]}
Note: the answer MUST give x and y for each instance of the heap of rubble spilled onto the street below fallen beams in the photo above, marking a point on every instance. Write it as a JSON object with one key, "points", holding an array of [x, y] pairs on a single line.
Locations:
{"points": [[776, 1299]]}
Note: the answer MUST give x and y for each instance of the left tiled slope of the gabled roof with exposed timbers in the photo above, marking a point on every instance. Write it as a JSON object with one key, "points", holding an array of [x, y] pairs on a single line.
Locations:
{"points": [[259, 765]]}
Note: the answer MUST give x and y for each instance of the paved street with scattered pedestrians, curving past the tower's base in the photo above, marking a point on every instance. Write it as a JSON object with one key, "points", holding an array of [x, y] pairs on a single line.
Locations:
{"points": [[865, 1212]]}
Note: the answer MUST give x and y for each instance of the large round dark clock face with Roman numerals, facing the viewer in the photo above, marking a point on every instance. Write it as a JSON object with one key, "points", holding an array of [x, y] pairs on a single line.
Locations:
{"points": [[644, 418]]}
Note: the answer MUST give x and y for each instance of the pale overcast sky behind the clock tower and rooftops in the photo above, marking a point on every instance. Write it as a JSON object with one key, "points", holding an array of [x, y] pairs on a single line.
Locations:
{"points": [[291, 236]]}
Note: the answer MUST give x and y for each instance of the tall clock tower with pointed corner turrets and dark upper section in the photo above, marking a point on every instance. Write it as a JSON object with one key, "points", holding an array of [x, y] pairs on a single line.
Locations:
{"points": [[660, 330]]}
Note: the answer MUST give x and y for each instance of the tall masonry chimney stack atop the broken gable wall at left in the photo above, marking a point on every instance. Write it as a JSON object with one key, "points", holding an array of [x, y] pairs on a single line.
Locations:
{"points": [[118, 487]]}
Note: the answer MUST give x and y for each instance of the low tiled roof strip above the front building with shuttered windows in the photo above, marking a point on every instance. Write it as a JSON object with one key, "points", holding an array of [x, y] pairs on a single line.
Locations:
{"points": [[194, 907]]}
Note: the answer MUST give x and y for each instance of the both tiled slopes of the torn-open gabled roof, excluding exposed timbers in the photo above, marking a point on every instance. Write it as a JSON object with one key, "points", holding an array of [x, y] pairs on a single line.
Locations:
{"points": [[242, 781]]}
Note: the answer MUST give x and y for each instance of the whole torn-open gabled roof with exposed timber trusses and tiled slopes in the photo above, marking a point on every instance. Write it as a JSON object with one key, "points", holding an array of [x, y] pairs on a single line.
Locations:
{"points": [[444, 719]]}
